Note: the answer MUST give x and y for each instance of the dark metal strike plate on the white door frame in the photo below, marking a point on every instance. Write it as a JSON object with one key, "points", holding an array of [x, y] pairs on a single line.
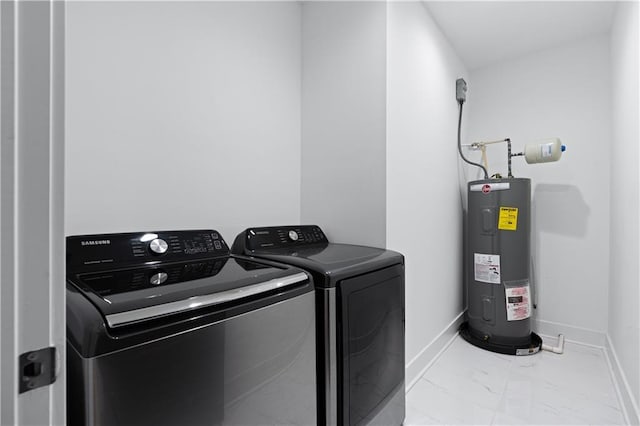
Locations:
{"points": [[37, 369]]}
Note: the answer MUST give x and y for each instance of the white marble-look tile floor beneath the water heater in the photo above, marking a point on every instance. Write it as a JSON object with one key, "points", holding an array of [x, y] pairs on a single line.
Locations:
{"points": [[470, 386]]}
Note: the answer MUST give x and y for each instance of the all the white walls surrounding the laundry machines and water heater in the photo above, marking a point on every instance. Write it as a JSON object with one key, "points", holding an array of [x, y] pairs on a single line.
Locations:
{"points": [[226, 115]]}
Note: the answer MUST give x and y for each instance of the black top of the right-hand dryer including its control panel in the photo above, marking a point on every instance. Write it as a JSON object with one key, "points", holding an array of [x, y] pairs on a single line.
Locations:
{"points": [[308, 248]]}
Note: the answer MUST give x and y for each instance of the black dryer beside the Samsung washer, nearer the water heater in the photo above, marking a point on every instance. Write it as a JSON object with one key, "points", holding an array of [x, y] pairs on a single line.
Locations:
{"points": [[360, 309]]}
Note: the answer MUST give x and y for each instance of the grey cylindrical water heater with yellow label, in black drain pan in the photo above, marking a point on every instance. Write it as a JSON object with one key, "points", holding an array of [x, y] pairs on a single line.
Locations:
{"points": [[498, 287]]}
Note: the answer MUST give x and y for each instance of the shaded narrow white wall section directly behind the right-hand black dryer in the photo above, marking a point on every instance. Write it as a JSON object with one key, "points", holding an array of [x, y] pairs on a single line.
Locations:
{"points": [[343, 125]]}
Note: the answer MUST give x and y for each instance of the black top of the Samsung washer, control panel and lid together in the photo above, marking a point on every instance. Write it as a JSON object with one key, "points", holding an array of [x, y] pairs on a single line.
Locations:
{"points": [[138, 277]]}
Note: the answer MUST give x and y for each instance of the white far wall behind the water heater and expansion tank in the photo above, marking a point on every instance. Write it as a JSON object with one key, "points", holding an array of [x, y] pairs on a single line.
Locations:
{"points": [[563, 92]]}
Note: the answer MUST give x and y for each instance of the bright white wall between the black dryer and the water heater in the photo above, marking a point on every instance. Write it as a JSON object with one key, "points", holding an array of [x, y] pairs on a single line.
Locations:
{"points": [[424, 213]]}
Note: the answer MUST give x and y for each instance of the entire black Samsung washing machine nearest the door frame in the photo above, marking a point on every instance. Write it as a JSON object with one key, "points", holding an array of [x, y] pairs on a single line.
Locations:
{"points": [[167, 328]]}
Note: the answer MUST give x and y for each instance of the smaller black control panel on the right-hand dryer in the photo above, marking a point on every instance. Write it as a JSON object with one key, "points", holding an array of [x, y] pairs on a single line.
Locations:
{"points": [[283, 237]]}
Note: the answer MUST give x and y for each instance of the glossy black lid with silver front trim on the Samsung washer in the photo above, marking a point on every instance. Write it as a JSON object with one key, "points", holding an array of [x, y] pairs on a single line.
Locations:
{"points": [[129, 296]]}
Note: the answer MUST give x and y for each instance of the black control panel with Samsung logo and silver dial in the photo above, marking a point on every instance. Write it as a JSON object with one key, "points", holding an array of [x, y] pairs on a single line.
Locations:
{"points": [[116, 250]]}
